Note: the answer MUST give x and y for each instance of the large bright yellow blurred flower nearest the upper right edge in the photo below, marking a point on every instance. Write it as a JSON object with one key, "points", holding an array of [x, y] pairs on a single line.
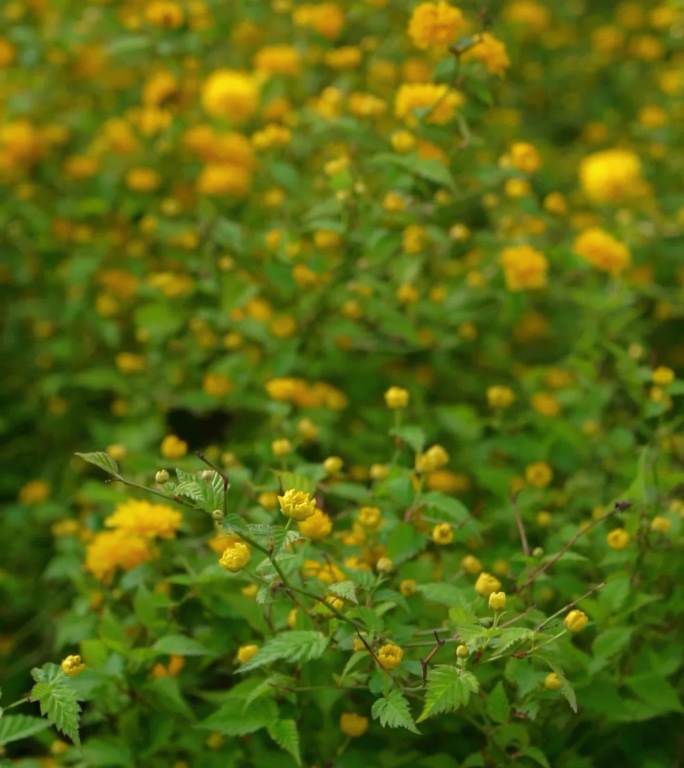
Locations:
{"points": [[611, 175]]}
